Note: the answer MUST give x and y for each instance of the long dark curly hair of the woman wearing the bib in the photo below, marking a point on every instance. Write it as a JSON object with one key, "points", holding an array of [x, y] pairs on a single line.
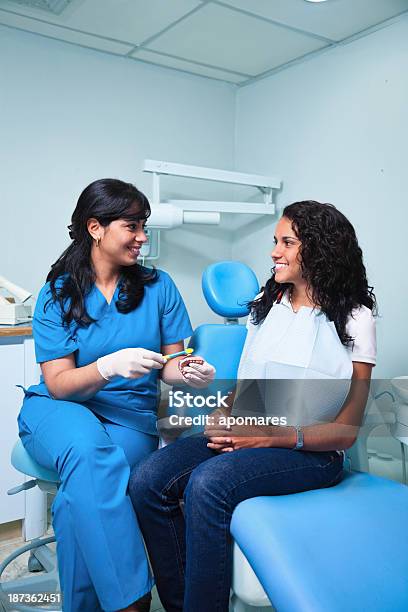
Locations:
{"points": [[331, 263]]}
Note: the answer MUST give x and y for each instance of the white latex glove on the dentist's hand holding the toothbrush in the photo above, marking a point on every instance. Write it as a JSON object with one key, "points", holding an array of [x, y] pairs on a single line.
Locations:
{"points": [[129, 363]]}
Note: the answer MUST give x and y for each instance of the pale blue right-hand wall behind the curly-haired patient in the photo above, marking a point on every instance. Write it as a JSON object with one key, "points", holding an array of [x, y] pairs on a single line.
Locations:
{"points": [[335, 128]]}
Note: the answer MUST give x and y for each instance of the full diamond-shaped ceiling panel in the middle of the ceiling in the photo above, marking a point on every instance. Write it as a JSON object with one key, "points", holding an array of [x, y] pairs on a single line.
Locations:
{"points": [[227, 39]]}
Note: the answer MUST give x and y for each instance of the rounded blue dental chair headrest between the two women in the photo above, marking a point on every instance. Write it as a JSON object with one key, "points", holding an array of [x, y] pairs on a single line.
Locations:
{"points": [[228, 286]]}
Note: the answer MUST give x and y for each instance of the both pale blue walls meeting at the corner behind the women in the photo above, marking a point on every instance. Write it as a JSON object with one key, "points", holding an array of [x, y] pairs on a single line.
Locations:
{"points": [[334, 128]]}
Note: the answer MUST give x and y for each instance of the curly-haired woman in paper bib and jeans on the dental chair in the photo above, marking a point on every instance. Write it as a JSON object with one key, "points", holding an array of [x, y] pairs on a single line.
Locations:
{"points": [[313, 321]]}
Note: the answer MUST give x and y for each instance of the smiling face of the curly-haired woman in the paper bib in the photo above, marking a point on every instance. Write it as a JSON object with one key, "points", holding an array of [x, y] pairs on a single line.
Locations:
{"points": [[286, 254]]}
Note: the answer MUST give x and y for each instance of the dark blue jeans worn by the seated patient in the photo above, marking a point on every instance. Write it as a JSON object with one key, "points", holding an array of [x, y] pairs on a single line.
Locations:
{"points": [[191, 551]]}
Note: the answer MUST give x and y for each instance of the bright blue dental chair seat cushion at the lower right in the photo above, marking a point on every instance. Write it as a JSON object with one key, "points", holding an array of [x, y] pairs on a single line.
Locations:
{"points": [[330, 550]]}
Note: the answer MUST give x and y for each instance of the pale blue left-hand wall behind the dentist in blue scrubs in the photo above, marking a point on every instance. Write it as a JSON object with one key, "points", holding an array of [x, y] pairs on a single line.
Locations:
{"points": [[69, 116]]}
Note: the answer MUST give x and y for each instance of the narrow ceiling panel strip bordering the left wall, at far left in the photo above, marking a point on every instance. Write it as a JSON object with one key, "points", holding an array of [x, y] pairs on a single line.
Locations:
{"points": [[53, 31]]}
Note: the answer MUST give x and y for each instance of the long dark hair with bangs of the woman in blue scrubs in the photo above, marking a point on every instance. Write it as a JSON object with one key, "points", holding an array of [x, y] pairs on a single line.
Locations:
{"points": [[105, 200]]}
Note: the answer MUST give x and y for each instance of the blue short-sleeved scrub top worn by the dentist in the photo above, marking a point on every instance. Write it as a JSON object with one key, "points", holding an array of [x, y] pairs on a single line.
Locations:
{"points": [[161, 318]]}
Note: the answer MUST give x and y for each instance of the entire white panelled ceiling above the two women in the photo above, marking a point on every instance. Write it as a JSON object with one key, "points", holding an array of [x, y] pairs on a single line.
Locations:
{"points": [[231, 40]]}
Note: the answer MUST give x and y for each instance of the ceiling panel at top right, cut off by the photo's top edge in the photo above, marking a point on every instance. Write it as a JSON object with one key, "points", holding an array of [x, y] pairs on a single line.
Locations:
{"points": [[335, 19]]}
